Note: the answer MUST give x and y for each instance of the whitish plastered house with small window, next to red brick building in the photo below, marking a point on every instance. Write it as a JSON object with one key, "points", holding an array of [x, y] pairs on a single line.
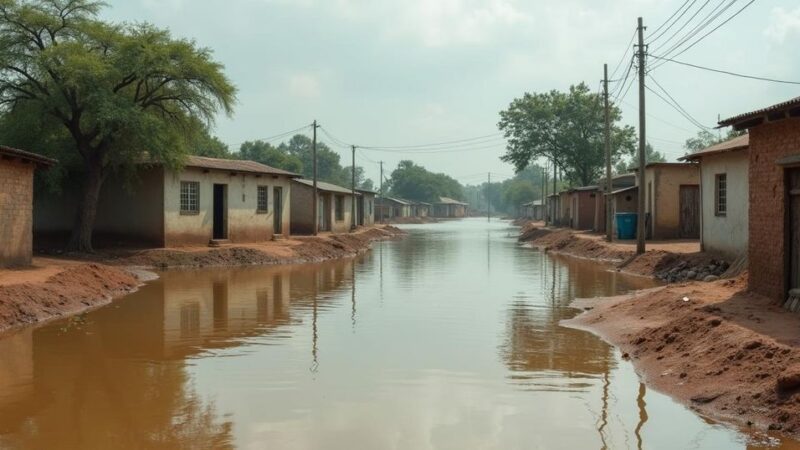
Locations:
{"points": [[724, 188]]}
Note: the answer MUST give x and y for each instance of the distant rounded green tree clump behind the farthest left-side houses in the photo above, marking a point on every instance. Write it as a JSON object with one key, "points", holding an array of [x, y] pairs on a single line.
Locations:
{"points": [[414, 182]]}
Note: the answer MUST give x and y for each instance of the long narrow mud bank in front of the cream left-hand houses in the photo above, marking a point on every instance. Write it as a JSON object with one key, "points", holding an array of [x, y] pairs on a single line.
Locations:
{"points": [[297, 250]]}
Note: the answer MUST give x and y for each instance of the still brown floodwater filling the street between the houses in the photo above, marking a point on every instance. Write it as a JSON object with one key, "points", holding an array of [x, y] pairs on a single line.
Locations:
{"points": [[449, 339]]}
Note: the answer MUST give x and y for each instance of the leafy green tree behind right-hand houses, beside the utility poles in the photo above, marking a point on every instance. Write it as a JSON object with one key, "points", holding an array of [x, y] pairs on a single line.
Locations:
{"points": [[566, 128]]}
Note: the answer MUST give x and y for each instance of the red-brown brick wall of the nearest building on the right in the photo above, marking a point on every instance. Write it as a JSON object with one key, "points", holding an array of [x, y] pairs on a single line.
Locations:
{"points": [[767, 244]]}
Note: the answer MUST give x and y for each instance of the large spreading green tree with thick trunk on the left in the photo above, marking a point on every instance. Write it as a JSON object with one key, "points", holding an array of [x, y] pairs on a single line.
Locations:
{"points": [[121, 93]]}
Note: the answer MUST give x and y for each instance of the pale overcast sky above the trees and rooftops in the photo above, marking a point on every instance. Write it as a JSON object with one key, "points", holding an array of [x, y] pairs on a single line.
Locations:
{"points": [[408, 72]]}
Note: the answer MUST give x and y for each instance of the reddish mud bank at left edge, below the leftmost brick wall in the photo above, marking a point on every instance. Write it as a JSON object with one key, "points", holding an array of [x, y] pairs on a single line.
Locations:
{"points": [[71, 291]]}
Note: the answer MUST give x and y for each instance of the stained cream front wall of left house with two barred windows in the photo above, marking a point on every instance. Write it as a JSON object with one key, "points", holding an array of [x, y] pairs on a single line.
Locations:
{"points": [[244, 222]]}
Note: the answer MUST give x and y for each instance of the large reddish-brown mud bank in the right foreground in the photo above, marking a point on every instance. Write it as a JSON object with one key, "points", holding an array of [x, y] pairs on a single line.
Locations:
{"points": [[726, 353]]}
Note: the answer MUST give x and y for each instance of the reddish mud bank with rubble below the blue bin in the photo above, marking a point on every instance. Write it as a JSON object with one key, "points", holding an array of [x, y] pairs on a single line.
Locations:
{"points": [[664, 263]]}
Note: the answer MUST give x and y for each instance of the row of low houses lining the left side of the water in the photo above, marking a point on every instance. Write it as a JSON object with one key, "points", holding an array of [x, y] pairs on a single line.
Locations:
{"points": [[209, 200]]}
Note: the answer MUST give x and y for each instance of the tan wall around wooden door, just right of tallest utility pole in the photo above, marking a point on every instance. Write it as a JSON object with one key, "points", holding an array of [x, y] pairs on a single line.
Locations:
{"points": [[663, 201]]}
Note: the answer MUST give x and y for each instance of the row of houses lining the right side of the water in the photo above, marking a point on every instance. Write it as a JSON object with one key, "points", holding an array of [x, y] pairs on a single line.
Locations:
{"points": [[740, 198]]}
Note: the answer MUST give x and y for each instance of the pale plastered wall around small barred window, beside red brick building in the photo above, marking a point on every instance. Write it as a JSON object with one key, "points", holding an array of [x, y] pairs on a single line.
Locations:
{"points": [[726, 234]]}
